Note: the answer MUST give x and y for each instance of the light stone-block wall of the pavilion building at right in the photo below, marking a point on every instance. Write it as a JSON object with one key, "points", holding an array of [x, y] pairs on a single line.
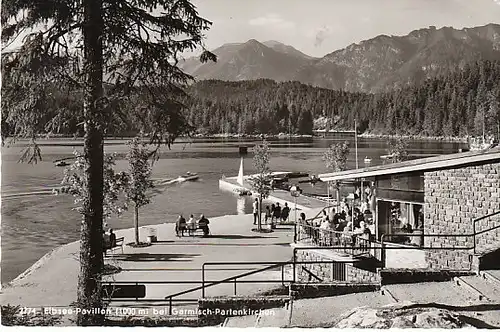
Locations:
{"points": [[454, 198]]}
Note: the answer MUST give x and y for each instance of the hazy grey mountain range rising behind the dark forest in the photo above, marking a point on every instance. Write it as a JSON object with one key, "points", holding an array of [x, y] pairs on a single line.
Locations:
{"points": [[379, 64]]}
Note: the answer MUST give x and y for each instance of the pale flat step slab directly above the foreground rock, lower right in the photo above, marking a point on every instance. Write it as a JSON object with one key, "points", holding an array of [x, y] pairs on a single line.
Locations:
{"points": [[439, 292]]}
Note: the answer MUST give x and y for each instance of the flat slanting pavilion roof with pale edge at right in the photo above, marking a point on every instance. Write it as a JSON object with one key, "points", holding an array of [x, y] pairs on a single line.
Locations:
{"points": [[423, 164]]}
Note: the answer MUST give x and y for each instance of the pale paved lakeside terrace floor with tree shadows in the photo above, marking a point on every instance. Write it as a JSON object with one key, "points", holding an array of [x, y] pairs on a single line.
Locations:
{"points": [[52, 280]]}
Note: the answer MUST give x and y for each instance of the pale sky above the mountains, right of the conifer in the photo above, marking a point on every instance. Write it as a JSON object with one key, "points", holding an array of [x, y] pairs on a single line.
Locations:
{"points": [[318, 27]]}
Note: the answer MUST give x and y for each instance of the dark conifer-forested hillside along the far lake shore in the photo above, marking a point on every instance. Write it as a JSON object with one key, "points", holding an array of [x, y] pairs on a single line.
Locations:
{"points": [[453, 104]]}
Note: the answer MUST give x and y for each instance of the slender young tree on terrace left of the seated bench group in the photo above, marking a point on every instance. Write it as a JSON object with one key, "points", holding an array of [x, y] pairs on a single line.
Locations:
{"points": [[139, 178]]}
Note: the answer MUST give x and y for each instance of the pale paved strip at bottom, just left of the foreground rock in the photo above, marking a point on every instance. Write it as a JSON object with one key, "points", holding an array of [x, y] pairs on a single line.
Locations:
{"points": [[313, 312]]}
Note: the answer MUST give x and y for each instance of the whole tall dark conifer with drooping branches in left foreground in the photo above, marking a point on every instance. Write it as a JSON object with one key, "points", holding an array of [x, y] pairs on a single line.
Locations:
{"points": [[134, 45]]}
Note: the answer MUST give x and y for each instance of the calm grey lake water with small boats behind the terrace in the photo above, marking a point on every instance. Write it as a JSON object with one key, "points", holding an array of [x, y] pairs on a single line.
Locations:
{"points": [[34, 225]]}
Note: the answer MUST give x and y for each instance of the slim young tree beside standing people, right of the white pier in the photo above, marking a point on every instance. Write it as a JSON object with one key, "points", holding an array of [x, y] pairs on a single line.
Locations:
{"points": [[261, 182]]}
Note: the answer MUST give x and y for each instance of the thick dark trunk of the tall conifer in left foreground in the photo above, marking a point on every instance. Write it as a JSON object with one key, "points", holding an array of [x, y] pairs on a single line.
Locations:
{"points": [[91, 246]]}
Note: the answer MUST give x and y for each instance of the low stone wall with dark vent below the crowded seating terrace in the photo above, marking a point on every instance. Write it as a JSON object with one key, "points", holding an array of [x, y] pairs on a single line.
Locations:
{"points": [[329, 271]]}
